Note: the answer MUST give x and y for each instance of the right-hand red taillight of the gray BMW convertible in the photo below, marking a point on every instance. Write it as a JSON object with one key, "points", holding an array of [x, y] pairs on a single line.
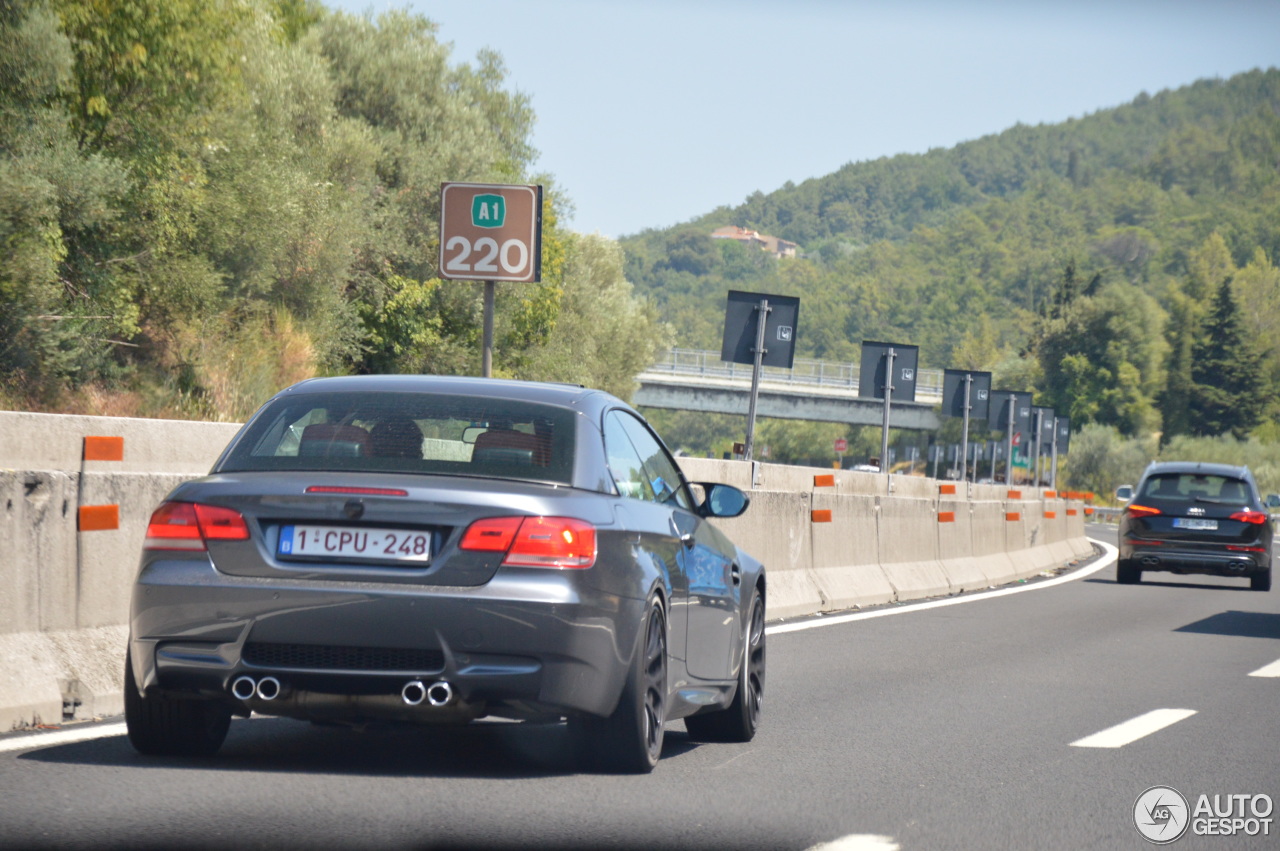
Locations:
{"points": [[534, 542]]}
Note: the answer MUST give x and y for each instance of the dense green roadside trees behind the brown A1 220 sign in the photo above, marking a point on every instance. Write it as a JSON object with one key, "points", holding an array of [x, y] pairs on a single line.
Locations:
{"points": [[203, 202]]}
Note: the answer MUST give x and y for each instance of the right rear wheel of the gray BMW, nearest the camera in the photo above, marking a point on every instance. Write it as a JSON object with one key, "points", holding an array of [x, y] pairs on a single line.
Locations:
{"points": [[630, 740]]}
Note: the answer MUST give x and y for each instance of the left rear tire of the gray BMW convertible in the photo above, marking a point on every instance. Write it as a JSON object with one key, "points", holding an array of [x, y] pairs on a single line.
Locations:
{"points": [[164, 728]]}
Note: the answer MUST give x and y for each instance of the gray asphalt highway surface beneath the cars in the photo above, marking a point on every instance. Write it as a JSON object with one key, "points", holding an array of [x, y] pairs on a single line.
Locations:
{"points": [[952, 726]]}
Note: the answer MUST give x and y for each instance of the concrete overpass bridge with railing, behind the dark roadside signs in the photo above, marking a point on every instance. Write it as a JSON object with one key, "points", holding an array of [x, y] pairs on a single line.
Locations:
{"points": [[815, 391]]}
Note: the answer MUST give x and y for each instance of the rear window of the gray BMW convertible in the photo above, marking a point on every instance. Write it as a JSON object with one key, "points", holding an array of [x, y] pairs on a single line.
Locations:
{"points": [[409, 433]]}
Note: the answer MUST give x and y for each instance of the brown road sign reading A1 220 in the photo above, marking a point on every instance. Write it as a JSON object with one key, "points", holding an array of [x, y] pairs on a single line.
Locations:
{"points": [[491, 232]]}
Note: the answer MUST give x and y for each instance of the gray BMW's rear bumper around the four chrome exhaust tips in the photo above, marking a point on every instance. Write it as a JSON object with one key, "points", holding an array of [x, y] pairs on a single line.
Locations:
{"points": [[529, 643]]}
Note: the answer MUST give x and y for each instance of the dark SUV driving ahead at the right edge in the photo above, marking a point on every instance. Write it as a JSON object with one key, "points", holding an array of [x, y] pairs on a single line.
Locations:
{"points": [[1196, 519]]}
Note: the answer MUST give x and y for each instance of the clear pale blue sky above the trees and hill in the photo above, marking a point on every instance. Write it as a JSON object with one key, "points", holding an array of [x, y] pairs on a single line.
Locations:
{"points": [[655, 112]]}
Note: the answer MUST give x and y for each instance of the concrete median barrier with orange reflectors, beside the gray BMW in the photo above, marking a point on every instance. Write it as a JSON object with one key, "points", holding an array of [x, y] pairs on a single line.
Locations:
{"points": [[831, 541]]}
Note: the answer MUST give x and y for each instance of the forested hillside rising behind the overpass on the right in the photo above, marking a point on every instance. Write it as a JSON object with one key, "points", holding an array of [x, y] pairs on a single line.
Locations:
{"points": [[1085, 262]]}
